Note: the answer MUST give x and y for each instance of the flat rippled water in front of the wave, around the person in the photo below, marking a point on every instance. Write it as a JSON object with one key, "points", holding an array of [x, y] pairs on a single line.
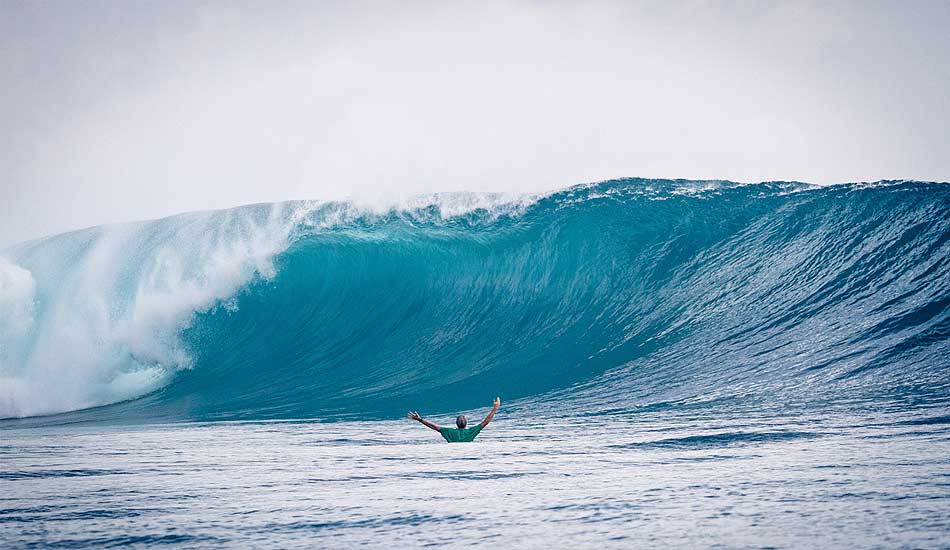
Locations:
{"points": [[852, 477]]}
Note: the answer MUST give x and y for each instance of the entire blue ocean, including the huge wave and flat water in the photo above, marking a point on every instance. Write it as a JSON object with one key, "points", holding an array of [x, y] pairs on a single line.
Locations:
{"points": [[687, 363]]}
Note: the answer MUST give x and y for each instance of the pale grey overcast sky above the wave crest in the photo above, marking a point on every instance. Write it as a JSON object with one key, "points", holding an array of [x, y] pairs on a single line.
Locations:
{"points": [[116, 111]]}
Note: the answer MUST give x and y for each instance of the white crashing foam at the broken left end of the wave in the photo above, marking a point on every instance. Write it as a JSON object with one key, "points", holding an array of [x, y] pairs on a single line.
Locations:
{"points": [[111, 303]]}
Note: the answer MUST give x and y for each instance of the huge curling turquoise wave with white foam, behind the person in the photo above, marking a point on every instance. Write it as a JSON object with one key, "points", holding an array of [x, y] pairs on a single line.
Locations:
{"points": [[626, 293]]}
